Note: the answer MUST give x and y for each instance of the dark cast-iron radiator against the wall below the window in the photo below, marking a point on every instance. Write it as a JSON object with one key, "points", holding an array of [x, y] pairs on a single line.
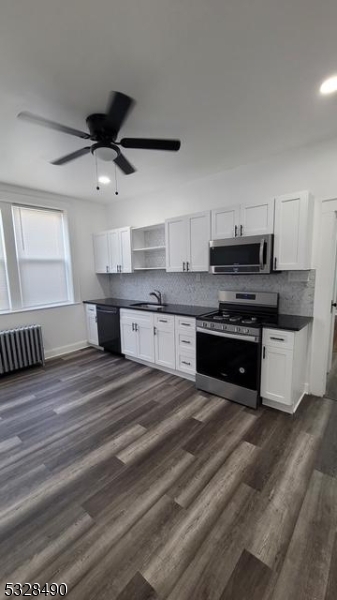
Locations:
{"points": [[20, 347]]}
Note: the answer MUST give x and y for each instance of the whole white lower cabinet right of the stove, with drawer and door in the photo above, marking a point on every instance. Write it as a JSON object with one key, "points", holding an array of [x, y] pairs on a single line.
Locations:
{"points": [[284, 368]]}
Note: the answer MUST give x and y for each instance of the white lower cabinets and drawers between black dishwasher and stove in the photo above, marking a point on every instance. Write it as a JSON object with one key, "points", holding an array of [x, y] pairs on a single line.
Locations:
{"points": [[164, 340]]}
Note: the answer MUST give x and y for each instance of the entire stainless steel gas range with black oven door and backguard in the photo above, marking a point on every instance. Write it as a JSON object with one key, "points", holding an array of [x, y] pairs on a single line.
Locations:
{"points": [[229, 345]]}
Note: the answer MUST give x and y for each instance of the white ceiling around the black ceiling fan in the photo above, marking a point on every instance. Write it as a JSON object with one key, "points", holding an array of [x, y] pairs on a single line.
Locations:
{"points": [[235, 80]]}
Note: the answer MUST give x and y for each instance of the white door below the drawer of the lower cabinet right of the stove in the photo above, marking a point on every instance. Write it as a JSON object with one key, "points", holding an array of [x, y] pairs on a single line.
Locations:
{"points": [[276, 374]]}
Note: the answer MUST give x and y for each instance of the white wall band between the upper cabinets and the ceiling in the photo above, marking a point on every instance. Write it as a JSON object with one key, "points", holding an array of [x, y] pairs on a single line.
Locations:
{"points": [[312, 167]]}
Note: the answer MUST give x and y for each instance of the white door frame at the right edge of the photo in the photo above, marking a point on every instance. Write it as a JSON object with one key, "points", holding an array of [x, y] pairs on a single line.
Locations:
{"points": [[324, 289]]}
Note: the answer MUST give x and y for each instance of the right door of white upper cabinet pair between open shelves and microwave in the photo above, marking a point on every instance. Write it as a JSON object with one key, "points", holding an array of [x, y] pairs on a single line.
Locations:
{"points": [[199, 235]]}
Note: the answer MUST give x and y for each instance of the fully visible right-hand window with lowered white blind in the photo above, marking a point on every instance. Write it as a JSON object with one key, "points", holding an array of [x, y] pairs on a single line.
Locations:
{"points": [[42, 256]]}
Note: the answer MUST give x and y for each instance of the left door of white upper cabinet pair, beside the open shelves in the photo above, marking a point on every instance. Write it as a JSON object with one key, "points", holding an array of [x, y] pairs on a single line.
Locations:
{"points": [[176, 244]]}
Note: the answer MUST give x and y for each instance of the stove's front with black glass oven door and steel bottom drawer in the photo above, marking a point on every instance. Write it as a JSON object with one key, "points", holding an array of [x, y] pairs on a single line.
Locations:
{"points": [[229, 365]]}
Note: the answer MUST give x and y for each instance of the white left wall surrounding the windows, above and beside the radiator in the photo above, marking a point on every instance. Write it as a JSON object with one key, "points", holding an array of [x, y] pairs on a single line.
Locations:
{"points": [[64, 327]]}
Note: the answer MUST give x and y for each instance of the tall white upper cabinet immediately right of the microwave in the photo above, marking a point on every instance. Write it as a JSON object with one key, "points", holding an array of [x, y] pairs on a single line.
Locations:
{"points": [[293, 231]]}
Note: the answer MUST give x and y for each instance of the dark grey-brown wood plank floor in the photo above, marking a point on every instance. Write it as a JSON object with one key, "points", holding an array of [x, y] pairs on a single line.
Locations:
{"points": [[127, 483]]}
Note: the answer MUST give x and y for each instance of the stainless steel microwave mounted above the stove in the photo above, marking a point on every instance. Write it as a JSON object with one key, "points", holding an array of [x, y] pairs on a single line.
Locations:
{"points": [[241, 255]]}
